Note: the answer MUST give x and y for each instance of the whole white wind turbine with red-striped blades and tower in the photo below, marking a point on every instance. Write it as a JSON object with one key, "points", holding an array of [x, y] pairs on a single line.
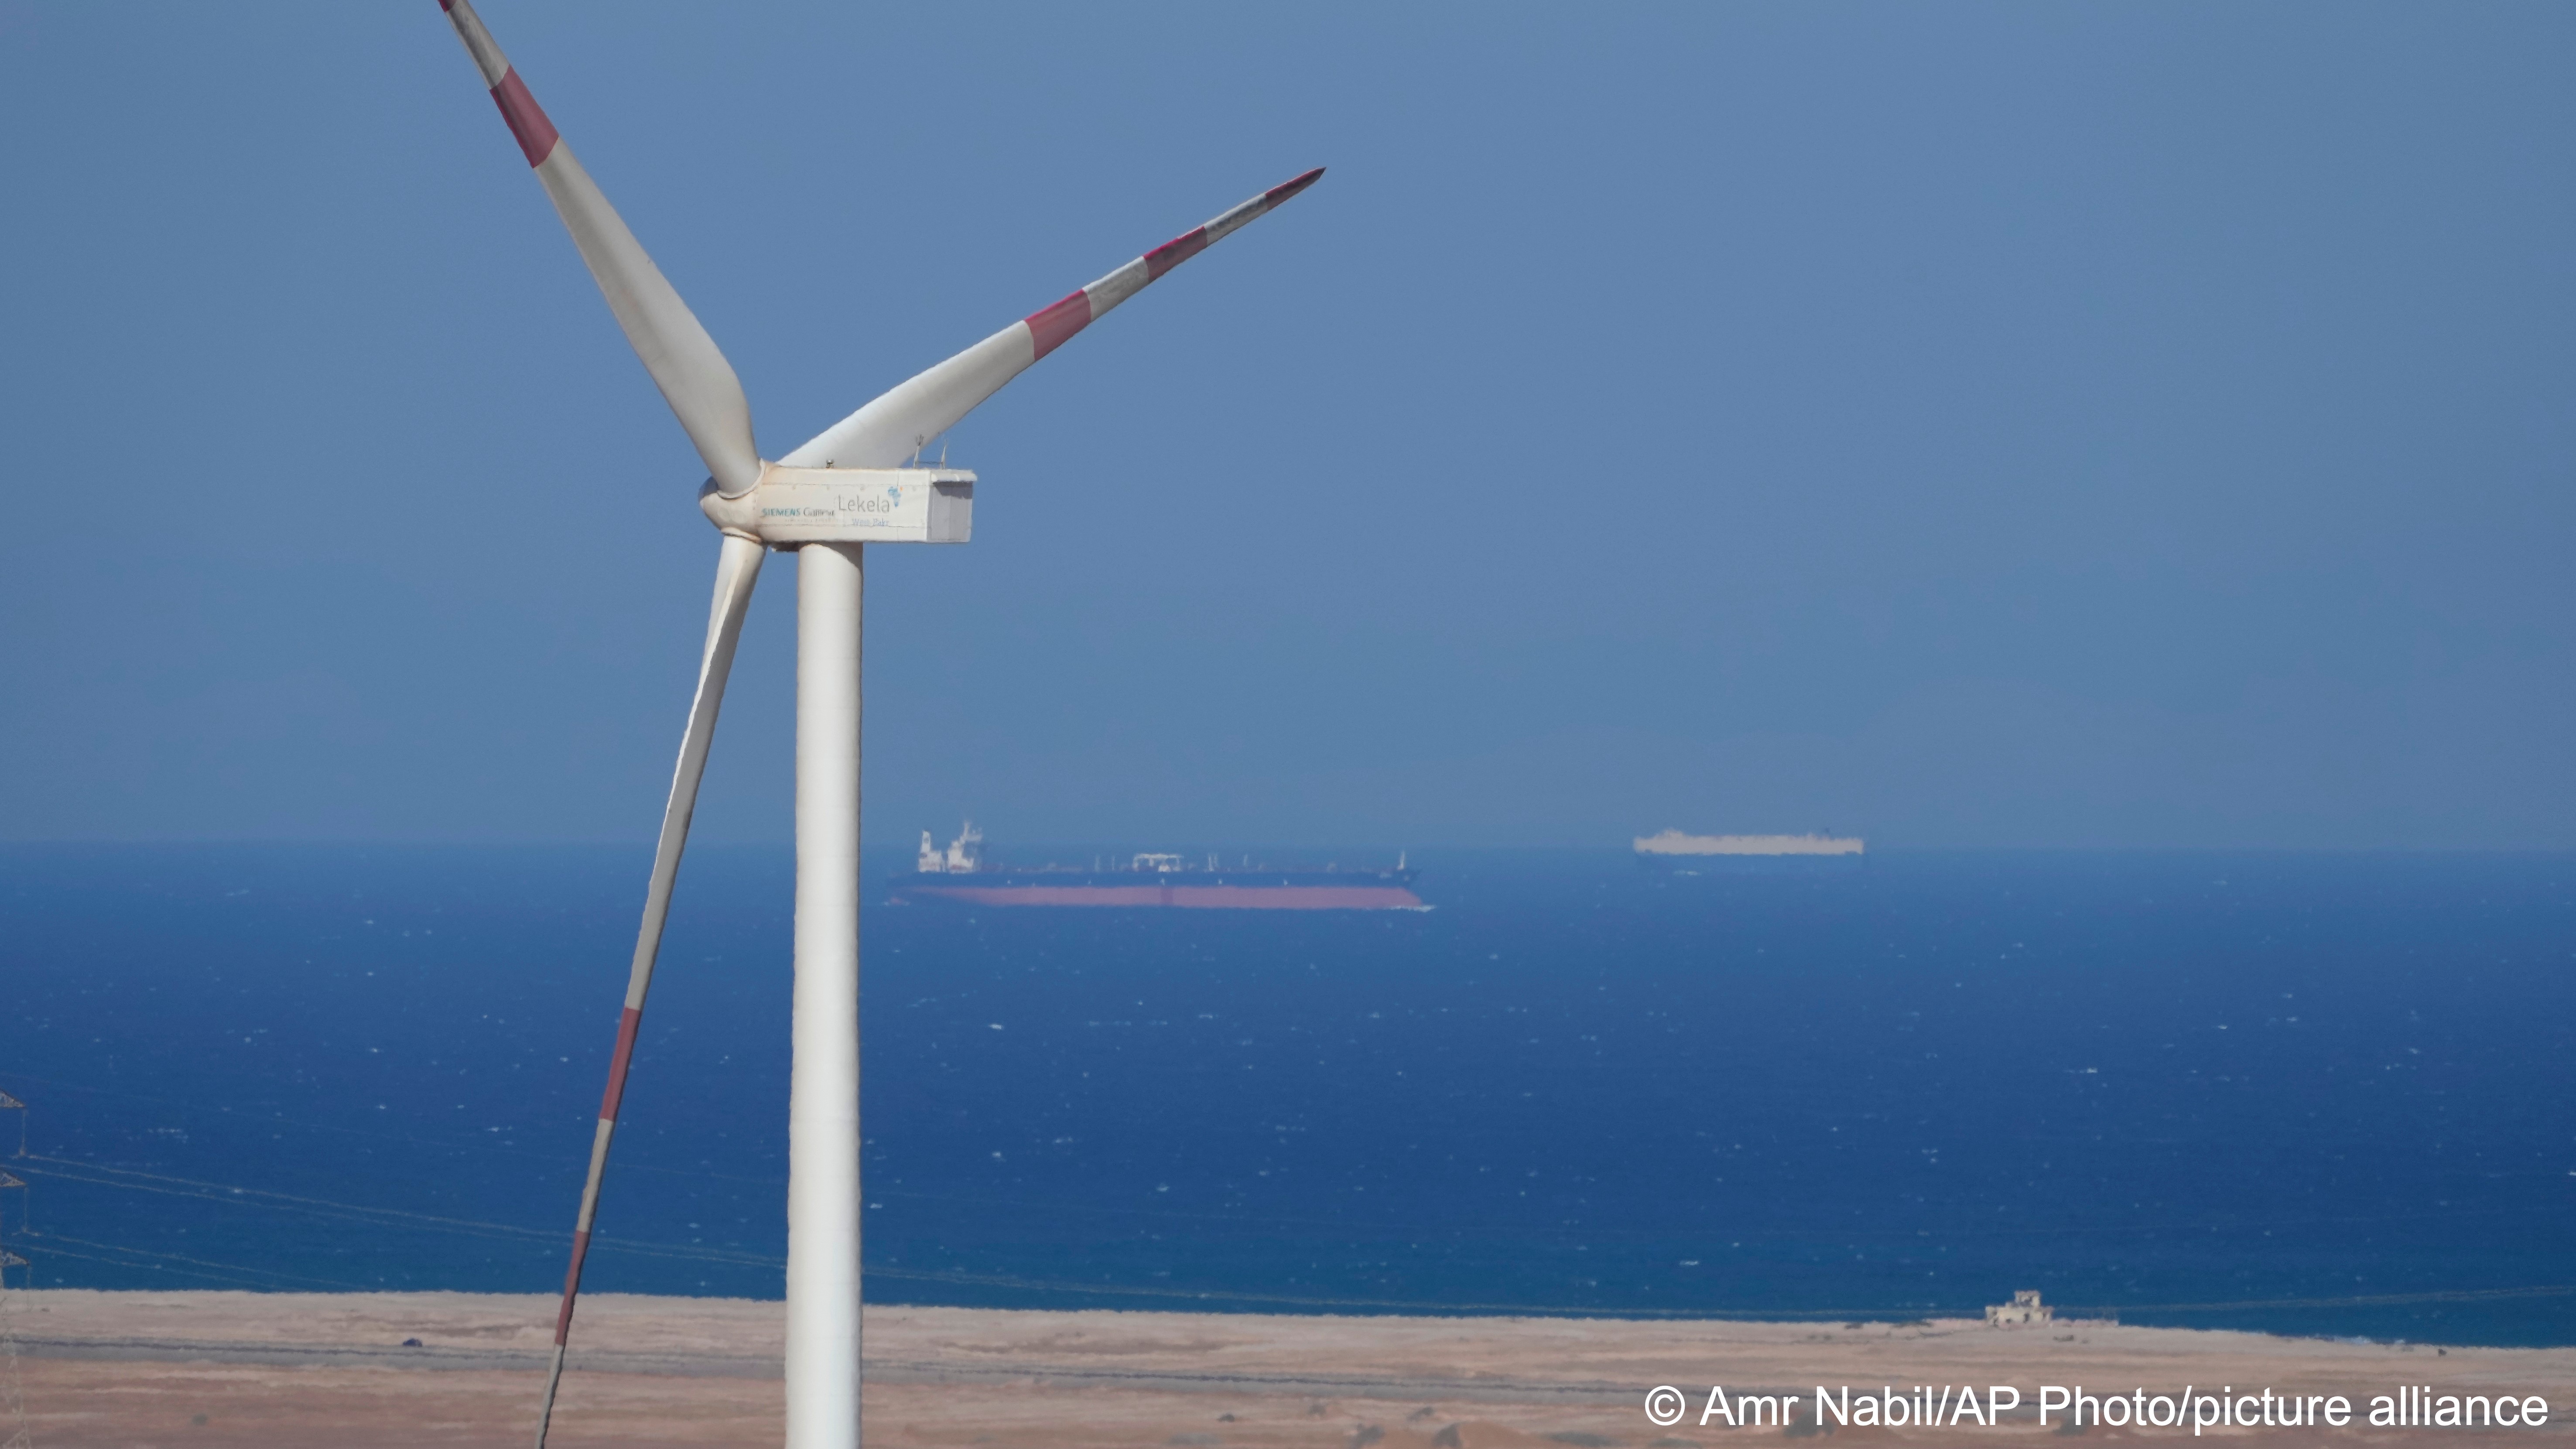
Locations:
{"points": [[826, 503]]}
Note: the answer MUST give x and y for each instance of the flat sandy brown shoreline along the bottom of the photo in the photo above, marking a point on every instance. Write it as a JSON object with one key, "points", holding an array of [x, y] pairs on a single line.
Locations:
{"points": [[287, 1371]]}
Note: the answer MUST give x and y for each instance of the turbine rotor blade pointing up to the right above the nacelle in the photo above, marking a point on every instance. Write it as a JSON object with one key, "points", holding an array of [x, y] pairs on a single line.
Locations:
{"points": [[918, 411]]}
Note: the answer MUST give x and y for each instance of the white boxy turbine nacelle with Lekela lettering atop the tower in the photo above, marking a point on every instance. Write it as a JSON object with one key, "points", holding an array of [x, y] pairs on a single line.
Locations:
{"points": [[846, 506]]}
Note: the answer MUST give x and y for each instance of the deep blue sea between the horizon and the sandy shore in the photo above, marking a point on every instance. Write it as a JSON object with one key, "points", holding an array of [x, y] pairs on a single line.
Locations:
{"points": [[2291, 1093]]}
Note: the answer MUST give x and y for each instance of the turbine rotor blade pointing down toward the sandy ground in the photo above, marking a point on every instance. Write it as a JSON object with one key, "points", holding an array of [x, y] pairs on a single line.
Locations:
{"points": [[738, 568]]}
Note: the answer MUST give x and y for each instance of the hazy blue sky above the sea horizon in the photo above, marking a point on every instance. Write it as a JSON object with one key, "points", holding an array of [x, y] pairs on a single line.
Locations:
{"points": [[1975, 426]]}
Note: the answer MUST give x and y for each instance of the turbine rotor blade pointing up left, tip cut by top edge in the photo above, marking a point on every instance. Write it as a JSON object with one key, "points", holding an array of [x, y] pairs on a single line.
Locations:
{"points": [[684, 362]]}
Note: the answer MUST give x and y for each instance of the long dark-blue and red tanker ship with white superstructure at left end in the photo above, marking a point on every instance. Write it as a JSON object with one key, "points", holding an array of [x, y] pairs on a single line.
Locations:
{"points": [[1150, 879]]}
